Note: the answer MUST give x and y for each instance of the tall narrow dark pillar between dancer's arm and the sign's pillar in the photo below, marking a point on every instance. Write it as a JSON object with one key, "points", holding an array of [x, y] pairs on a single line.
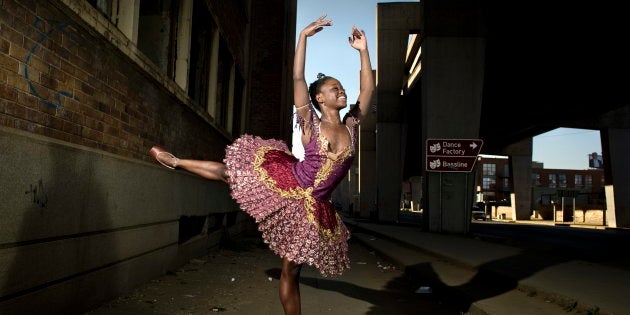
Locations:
{"points": [[394, 20]]}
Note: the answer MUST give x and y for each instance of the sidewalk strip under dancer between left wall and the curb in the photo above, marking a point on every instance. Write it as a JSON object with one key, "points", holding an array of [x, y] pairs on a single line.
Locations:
{"points": [[243, 279]]}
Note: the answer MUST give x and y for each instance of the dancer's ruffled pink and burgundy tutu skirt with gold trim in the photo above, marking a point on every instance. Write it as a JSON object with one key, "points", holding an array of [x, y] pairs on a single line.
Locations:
{"points": [[293, 223]]}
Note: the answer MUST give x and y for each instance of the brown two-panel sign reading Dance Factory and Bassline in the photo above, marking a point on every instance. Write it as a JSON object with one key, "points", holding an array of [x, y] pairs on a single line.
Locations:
{"points": [[452, 155]]}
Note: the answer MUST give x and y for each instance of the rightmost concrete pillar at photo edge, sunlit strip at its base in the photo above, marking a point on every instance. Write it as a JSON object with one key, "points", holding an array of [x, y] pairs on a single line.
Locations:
{"points": [[616, 148]]}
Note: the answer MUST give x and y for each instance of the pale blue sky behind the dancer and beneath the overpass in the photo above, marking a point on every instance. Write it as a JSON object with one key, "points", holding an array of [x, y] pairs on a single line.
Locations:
{"points": [[328, 52]]}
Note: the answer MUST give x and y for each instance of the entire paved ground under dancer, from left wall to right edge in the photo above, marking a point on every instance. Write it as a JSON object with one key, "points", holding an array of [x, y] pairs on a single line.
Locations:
{"points": [[482, 277]]}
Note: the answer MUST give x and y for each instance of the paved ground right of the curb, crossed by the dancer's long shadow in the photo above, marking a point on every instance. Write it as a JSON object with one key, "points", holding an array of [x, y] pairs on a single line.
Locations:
{"points": [[525, 270]]}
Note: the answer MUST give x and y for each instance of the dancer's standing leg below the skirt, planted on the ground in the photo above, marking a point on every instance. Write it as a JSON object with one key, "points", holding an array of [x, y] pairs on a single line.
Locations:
{"points": [[290, 287]]}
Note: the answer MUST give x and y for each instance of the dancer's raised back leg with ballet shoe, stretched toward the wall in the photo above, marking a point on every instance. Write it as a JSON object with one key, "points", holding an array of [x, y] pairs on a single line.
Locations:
{"points": [[206, 169]]}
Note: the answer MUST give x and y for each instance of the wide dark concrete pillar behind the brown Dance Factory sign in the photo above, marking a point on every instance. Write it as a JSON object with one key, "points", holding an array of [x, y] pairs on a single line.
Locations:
{"points": [[451, 102]]}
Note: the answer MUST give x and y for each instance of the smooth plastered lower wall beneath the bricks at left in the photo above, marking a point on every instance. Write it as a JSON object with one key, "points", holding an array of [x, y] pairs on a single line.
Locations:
{"points": [[80, 220]]}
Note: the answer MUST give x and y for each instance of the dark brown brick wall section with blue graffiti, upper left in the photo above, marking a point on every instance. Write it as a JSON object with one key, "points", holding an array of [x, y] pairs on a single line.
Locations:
{"points": [[61, 80]]}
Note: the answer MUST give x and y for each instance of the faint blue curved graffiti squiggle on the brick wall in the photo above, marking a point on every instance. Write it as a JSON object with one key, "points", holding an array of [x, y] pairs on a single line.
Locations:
{"points": [[56, 100]]}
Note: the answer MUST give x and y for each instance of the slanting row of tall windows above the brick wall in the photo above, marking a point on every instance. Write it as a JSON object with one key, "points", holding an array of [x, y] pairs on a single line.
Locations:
{"points": [[208, 72]]}
